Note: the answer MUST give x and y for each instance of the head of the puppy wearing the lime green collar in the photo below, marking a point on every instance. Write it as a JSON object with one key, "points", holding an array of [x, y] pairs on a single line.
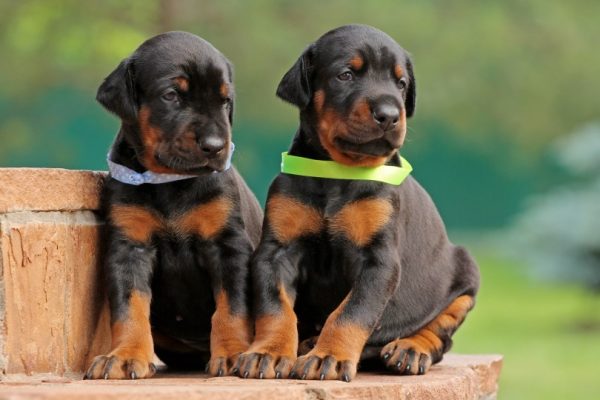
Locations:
{"points": [[356, 85]]}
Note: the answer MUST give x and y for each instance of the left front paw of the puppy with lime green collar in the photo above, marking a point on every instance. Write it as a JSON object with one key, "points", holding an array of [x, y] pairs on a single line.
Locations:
{"points": [[263, 365]]}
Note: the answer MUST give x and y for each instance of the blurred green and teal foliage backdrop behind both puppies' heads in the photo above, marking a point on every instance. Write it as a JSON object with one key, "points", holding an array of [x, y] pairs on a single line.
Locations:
{"points": [[497, 80]]}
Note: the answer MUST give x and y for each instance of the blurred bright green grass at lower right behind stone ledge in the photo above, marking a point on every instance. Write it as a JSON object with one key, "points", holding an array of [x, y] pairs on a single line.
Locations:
{"points": [[549, 334]]}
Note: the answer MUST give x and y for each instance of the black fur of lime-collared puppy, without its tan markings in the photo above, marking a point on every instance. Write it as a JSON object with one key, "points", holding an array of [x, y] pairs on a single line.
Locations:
{"points": [[409, 272]]}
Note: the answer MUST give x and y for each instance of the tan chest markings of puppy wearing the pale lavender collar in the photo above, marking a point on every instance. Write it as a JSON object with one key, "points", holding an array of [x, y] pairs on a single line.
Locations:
{"points": [[142, 222]]}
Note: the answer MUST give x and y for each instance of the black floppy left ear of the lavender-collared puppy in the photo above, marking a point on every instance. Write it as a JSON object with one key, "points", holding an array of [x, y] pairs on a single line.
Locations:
{"points": [[117, 92]]}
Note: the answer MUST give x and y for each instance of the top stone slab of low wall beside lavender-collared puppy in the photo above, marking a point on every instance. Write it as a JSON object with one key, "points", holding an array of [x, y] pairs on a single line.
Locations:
{"points": [[48, 189]]}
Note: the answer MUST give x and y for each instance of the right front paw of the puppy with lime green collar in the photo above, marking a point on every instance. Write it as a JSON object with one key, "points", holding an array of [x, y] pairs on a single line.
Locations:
{"points": [[323, 366]]}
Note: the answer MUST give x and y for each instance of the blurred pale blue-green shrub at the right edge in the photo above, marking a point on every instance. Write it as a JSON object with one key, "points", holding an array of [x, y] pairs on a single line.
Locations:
{"points": [[559, 232]]}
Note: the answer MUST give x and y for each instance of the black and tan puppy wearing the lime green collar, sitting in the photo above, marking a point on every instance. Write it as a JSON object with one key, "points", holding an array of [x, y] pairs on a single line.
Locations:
{"points": [[365, 266]]}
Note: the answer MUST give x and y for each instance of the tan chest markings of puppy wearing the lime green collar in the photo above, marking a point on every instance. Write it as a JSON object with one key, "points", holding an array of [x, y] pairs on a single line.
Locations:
{"points": [[357, 221]]}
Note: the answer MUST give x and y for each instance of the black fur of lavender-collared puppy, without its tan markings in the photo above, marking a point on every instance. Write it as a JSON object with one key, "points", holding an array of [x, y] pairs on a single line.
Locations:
{"points": [[182, 271]]}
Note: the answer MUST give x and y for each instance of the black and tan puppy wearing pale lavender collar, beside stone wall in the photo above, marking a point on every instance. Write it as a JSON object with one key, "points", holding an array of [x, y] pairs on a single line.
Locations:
{"points": [[181, 225]]}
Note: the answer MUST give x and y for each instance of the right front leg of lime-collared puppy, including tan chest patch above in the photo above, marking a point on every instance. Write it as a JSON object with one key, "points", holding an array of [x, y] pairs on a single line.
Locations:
{"points": [[363, 229]]}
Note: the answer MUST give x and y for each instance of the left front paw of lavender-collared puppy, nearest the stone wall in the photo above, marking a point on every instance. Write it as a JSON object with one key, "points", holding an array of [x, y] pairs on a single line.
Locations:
{"points": [[121, 365]]}
